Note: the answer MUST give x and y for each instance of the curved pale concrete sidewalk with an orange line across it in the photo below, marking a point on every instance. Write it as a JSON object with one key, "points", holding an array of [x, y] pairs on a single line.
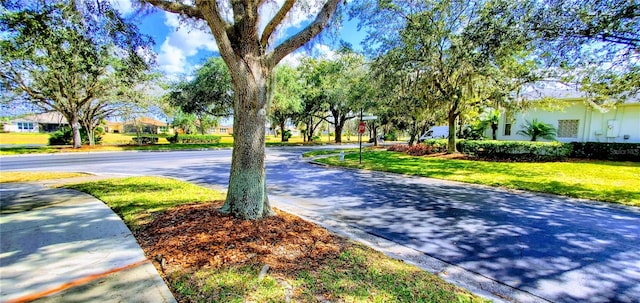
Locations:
{"points": [[60, 245]]}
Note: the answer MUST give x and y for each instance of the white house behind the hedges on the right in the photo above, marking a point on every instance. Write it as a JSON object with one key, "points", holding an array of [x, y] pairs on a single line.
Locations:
{"points": [[577, 120]]}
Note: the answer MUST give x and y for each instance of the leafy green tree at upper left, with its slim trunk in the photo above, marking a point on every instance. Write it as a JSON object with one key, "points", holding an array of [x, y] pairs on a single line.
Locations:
{"points": [[69, 57]]}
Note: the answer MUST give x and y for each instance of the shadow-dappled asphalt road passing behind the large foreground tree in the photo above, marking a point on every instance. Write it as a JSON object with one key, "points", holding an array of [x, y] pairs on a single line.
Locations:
{"points": [[557, 249]]}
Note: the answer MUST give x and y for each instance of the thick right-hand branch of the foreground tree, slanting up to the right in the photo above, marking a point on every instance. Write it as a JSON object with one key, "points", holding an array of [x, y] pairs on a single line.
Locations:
{"points": [[304, 36]]}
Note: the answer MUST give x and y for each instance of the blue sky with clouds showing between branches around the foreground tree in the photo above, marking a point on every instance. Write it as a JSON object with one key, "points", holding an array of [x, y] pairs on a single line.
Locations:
{"points": [[180, 48]]}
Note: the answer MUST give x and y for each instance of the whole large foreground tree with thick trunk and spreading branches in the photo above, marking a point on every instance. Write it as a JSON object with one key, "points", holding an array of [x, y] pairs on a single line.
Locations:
{"points": [[251, 53]]}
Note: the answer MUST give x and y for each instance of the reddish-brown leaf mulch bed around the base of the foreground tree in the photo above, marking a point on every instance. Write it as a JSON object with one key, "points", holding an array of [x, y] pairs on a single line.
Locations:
{"points": [[191, 237]]}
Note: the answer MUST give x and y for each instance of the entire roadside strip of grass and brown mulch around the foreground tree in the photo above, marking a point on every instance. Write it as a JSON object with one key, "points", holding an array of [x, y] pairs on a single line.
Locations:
{"points": [[209, 257]]}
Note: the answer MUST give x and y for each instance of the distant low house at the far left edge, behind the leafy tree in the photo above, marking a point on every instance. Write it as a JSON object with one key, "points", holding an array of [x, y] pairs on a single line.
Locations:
{"points": [[45, 122]]}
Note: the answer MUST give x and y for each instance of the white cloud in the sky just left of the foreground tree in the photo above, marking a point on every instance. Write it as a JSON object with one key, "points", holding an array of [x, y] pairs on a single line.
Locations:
{"points": [[182, 42]]}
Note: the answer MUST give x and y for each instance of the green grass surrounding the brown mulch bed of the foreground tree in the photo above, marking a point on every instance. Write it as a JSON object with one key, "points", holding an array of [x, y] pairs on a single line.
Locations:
{"points": [[359, 274]]}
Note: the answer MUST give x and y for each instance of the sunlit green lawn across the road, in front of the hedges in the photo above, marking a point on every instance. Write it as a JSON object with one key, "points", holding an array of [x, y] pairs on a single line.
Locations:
{"points": [[608, 181]]}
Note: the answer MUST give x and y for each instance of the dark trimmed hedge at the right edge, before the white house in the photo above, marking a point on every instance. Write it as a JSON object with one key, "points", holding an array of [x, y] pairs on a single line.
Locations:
{"points": [[606, 151]]}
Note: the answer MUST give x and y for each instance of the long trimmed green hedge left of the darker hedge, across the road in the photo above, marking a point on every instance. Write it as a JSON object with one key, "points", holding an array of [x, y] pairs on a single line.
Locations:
{"points": [[515, 150]]}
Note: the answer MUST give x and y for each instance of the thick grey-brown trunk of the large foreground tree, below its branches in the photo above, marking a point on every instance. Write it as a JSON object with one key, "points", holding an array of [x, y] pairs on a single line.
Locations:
{"points": [[247, 194]]}
